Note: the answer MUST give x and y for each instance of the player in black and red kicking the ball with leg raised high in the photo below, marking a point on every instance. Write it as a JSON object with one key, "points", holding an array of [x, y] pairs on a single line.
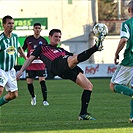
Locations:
{"points": [[64, 64]]}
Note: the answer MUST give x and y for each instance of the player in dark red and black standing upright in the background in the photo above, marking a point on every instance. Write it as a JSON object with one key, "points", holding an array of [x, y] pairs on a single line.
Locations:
{"points": [[37, 67]]}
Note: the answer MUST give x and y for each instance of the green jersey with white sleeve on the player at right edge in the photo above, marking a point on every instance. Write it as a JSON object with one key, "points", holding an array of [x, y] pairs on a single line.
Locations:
{"points": [[127, 32]]}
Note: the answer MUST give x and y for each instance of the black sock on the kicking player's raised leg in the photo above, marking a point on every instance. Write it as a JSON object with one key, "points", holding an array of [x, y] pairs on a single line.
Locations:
{"points": [[86, 54]]}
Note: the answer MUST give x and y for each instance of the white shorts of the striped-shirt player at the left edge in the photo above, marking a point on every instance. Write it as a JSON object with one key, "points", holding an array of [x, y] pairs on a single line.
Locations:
{"points": [[8, 80]]}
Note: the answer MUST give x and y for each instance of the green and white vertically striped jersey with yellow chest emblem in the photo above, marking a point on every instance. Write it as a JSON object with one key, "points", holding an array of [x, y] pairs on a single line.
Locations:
{"points": [[8, 51]]}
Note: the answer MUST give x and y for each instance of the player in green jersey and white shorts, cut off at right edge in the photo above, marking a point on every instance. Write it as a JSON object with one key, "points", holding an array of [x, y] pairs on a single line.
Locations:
{"points": [[121, 79]]}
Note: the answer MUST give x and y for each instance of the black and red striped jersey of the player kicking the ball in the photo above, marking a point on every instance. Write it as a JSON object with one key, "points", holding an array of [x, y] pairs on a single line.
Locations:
{"points": [[49, 53]]}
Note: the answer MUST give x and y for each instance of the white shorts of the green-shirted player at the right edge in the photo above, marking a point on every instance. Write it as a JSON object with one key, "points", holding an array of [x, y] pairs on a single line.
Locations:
{"points": [[122, 75]]}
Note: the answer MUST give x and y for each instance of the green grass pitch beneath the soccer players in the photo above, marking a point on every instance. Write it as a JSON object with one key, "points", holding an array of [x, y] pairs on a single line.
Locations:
{"points": [[111, 110]]}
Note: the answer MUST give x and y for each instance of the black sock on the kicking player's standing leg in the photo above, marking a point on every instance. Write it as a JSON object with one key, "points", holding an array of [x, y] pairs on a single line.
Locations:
{"points": [[85, 101]]}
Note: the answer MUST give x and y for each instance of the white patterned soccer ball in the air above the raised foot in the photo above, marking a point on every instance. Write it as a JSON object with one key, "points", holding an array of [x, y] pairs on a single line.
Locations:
{"points": [[99, 29]]}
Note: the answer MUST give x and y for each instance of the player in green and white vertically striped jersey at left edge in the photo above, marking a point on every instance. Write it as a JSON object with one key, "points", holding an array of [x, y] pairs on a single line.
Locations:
{"points": [[9, 48]]}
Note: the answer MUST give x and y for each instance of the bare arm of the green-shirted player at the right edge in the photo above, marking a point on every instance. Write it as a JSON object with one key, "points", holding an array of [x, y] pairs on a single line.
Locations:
{"points": [[121, 45]]}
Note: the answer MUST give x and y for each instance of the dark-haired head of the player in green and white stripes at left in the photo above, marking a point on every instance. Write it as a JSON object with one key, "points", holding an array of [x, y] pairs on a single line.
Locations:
{"points": [[8, 23]]}
